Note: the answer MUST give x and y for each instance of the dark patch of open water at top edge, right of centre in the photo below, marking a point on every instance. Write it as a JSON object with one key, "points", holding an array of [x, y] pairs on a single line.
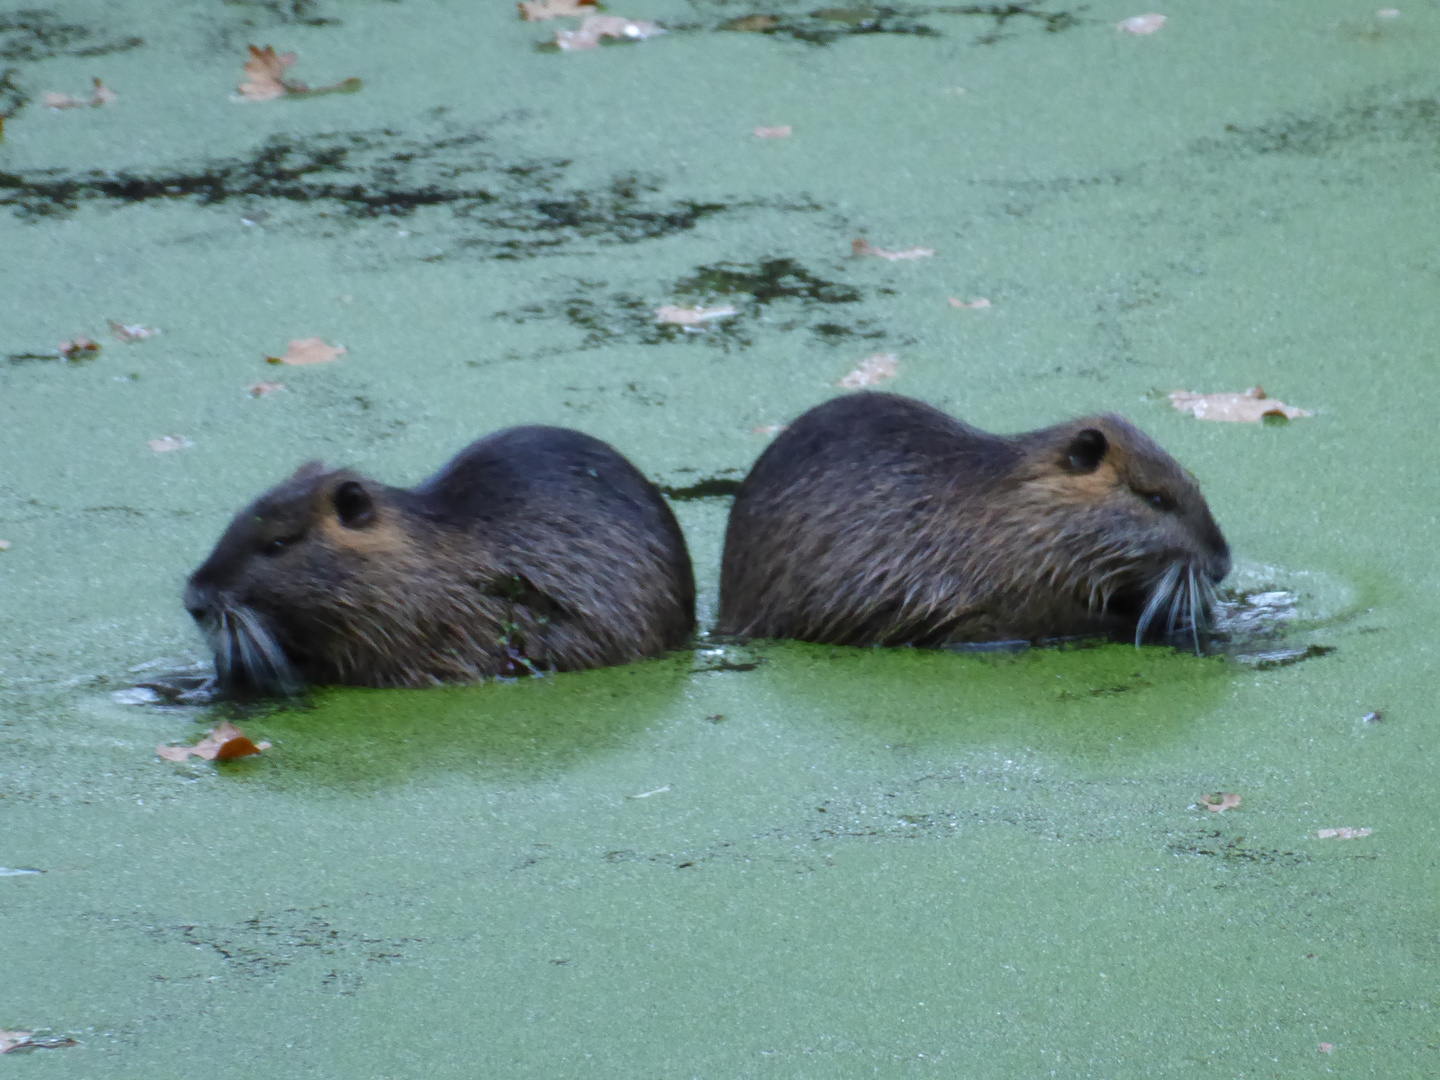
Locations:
{"points": [[829, 25]]}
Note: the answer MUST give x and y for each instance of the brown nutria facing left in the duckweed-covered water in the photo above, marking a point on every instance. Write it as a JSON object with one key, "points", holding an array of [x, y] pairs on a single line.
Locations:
{"points": [[534, 549]]}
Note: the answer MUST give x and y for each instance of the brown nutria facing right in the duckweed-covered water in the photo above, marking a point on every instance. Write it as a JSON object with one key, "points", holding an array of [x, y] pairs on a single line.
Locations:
{"points": [[879, 521]]}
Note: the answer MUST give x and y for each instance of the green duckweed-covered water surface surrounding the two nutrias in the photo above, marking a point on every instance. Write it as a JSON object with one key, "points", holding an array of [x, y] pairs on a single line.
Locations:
{"points": [[751, 859]]}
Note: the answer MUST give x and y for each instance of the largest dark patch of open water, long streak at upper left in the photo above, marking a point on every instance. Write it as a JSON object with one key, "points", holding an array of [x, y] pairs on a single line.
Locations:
{"points": [[505, 210]]}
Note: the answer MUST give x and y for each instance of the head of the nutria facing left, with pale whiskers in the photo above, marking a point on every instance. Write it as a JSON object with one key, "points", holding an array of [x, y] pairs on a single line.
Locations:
{"points": [[302, 580]]}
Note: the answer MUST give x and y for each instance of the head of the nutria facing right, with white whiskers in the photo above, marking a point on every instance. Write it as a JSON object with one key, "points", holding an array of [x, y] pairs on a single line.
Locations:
{"points": [[1125, 531]]}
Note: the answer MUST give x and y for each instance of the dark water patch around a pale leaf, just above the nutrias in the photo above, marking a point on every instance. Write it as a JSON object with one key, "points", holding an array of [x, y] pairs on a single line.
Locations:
{"points": [[750, 287]]}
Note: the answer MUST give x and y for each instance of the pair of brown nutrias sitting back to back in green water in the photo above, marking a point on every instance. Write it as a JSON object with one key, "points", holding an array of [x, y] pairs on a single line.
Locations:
{"points": [[872, 521]]}
